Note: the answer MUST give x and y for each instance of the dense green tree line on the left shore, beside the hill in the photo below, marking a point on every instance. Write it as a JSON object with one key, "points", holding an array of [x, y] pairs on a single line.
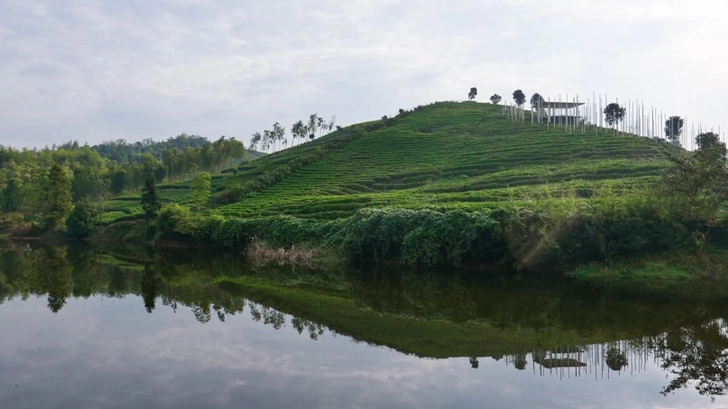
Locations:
{"points": [[44, 185]]}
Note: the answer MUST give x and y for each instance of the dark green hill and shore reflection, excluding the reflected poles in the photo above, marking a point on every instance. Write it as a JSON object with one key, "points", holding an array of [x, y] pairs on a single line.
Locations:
{"points": [[424, 314]]}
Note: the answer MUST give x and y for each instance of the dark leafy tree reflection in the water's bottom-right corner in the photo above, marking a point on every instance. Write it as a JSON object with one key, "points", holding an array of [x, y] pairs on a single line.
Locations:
{"points": [[697, 353]]}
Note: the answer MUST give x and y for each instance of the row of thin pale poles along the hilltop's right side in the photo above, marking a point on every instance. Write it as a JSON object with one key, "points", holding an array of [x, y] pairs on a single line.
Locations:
{"points": [[578, 116]]}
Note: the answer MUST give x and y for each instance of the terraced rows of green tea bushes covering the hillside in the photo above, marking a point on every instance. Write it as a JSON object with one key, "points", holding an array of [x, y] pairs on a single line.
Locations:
{"points": [[449, 154]]}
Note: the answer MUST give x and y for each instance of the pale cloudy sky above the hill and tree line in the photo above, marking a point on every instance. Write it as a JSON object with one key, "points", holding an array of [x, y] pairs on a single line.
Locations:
{"points": [[99, 70]]}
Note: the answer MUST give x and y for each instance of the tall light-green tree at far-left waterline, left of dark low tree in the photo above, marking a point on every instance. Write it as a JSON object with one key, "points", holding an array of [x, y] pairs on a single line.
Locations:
{"points": [[57, 203]]}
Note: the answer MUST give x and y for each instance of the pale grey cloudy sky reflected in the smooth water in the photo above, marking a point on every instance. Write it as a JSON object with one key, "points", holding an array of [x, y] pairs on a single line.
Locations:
{"points": [[109, 353]]}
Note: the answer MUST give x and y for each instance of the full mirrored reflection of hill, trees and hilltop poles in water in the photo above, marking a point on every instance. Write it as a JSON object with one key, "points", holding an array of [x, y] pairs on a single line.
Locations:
{"points": [[541, 327]]}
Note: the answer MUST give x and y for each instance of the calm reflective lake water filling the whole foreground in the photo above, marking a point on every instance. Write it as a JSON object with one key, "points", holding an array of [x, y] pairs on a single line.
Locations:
{"points": [[83, 329]]}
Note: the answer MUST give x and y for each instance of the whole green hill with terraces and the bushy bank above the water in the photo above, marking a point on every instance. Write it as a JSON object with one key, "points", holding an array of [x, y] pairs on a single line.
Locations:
{"points": [[447, 184]]}
